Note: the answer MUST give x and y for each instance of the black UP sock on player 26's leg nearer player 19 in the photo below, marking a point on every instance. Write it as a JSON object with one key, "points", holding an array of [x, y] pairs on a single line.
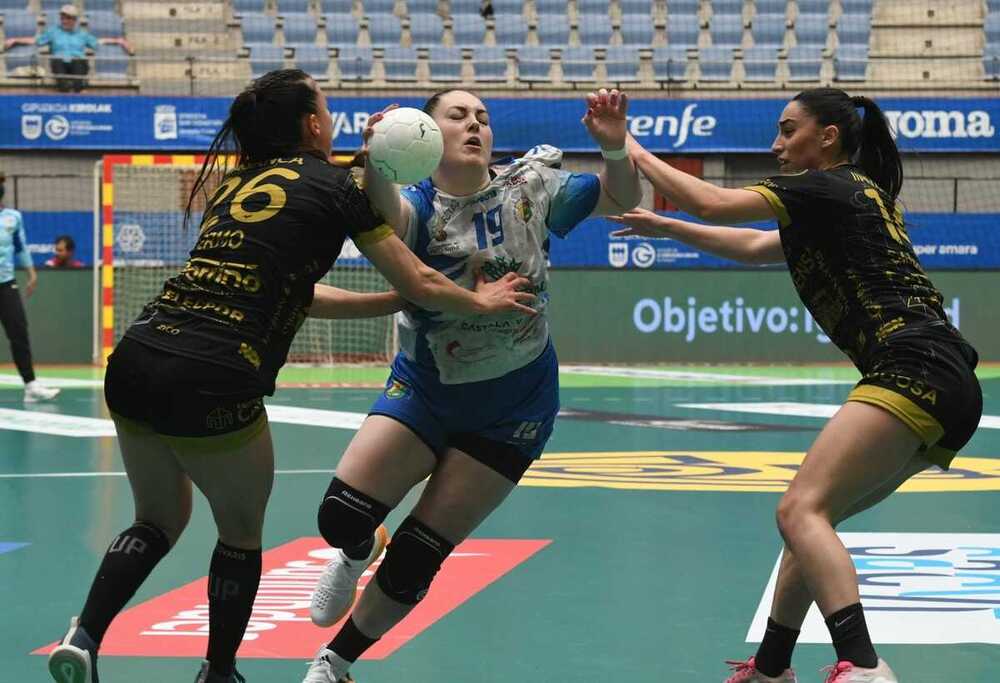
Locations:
{"points": [[233, 579]]}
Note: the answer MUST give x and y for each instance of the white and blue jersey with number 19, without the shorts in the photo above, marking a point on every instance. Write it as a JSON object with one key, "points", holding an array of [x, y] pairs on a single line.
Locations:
{"points": [[502, 228]]}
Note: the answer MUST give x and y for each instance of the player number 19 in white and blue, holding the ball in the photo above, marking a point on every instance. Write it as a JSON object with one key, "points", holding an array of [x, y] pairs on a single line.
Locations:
{"points": [[471, 400]]}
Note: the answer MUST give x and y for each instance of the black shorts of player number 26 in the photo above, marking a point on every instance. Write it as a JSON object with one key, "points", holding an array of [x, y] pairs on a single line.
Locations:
{"points": [[191, 403]]}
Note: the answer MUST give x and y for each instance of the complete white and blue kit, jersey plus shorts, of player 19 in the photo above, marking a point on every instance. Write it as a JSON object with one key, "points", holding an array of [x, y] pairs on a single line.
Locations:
{"points": [[487, 385]]}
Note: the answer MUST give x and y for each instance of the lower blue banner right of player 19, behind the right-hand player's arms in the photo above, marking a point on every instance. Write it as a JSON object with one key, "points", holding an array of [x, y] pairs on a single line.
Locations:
{"points": [[942, 241]]}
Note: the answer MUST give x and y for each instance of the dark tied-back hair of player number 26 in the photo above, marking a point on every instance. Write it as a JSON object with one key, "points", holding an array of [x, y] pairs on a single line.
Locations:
{"points": [[264, 122]]}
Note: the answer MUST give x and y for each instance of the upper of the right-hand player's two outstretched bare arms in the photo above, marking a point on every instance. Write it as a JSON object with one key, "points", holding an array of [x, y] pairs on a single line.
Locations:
{"points": [[699, 197]]}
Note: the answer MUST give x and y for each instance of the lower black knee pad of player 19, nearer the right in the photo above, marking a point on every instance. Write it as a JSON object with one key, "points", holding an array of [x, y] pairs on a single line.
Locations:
{"points": [[414, 556]]}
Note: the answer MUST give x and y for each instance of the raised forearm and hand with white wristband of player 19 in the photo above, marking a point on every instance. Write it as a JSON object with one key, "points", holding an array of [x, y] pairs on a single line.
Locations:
{"points": [[607, 124]]}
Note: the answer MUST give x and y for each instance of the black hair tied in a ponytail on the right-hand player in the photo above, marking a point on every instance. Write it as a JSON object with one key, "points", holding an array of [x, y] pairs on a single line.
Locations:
{"points": [[867, 140]]}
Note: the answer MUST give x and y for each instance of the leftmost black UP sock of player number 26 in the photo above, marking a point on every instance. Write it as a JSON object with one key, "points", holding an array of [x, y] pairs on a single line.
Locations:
{"points": [[126, 564]]}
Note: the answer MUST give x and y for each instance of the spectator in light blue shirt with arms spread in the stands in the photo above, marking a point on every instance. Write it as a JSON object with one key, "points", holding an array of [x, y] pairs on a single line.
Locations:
{"points": [[69, 44]]}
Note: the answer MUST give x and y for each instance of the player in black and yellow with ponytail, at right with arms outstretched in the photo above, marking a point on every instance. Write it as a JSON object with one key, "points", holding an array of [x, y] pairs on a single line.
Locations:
{"points": [[842, 234]]}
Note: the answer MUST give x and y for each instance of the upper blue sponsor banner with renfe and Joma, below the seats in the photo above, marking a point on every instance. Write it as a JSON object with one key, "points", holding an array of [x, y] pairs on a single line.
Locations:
{"points": [[126, 123]]}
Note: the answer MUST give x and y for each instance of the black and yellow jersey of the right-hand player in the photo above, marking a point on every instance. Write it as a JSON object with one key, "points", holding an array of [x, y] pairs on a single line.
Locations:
{"points": [[851, 260]]}
